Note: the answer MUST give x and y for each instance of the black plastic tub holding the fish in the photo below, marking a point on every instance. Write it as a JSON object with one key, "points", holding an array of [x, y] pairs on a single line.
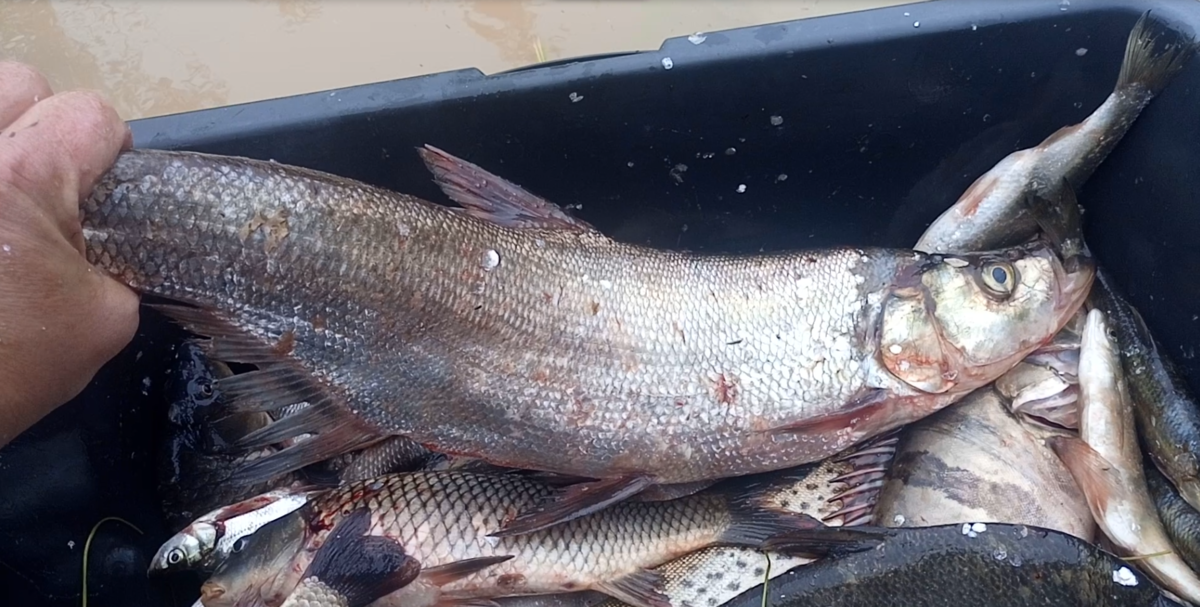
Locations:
{"points": [[856, 129]]}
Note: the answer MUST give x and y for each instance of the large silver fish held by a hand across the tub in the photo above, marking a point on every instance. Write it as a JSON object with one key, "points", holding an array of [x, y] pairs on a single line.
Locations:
{"points": [[398, 317]]}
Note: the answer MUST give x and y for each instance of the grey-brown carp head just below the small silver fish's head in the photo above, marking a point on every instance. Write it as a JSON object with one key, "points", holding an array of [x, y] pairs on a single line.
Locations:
{"points": [[250, 573]]}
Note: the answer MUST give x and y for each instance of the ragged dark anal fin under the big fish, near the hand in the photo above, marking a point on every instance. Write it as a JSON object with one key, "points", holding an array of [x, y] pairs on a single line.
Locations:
{"points": [[327, 425]]}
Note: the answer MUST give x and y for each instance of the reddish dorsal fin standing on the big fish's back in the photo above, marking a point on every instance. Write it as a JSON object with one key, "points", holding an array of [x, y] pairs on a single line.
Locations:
{"points": [[493, 199]]}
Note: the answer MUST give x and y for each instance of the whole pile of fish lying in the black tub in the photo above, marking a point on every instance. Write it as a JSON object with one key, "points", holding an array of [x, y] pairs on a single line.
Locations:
{"points": [[394, 402]]}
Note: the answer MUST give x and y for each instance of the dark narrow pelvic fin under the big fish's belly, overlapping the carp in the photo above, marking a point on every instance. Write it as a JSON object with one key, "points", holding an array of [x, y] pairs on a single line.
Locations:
{"points": [[573, 502]]}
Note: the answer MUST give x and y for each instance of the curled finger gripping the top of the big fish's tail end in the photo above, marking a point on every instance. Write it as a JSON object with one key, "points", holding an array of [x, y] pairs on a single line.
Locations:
{"points": [[59, 148]]}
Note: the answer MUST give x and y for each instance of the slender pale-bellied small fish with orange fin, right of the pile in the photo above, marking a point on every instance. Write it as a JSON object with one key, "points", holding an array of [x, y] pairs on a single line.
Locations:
{"points": [[1107, 462]]}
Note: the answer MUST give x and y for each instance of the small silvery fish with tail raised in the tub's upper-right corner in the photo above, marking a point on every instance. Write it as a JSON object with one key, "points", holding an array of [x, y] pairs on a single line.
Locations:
{"points": [[989, 214]]}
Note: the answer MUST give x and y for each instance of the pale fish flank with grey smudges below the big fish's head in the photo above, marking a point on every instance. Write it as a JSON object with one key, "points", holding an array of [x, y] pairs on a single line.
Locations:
{"points": [[977, 461]]}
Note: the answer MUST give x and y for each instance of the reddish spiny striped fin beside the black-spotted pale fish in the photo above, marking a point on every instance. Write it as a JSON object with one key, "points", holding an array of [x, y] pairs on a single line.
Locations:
{"points": [[872, 462]]}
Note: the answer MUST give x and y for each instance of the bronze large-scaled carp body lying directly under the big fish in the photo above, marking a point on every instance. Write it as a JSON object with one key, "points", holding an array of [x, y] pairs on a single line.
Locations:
{"points": [[443, 518]]}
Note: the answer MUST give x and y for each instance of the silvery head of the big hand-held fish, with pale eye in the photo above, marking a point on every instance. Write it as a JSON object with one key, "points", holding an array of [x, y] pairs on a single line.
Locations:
{"points": [[959, 322]]}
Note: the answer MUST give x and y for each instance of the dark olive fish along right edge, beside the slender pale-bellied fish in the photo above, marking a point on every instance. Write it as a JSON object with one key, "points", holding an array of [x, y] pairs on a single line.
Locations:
{"points": [[1166, 408]]}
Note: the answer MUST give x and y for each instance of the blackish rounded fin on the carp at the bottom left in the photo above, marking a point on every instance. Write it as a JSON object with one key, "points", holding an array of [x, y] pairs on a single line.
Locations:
{"points": [[362, 568]]}
